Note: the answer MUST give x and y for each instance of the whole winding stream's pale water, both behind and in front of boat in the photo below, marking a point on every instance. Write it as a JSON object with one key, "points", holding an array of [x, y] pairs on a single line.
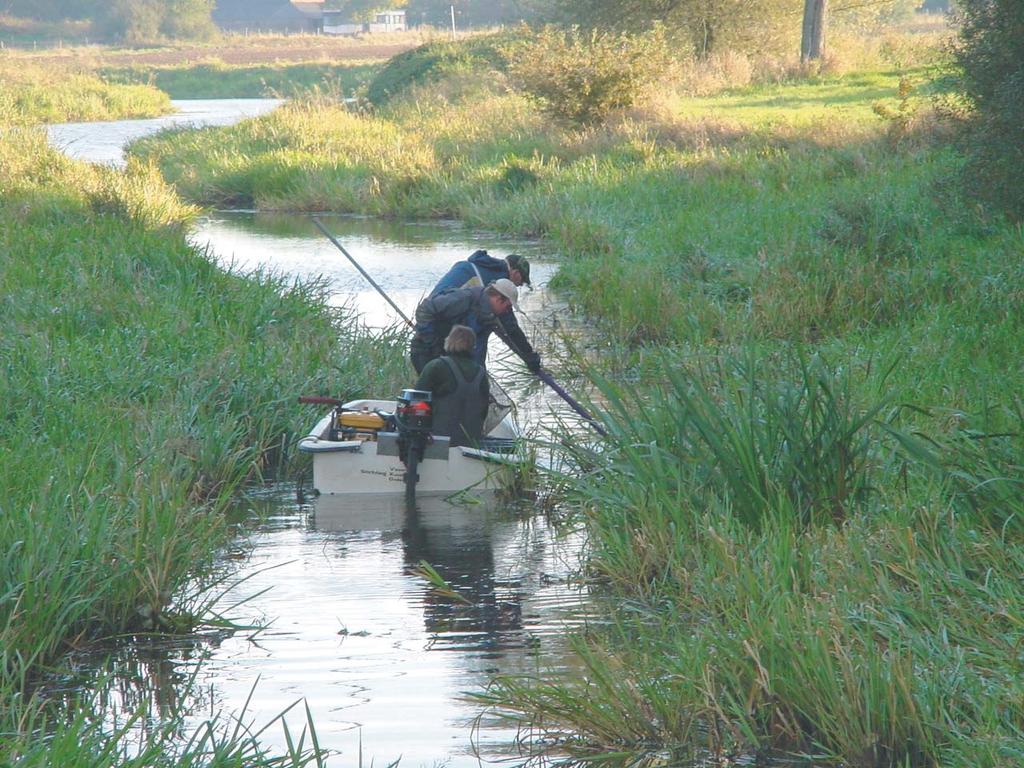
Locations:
{"points": [[346, 625]]}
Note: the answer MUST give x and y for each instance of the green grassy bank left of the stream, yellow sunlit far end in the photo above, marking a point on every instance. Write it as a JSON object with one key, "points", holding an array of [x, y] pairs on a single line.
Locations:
{"points": [[142, 386]]}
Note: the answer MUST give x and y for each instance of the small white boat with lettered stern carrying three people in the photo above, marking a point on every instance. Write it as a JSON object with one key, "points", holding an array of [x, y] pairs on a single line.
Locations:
{"points": [[355, 452]]}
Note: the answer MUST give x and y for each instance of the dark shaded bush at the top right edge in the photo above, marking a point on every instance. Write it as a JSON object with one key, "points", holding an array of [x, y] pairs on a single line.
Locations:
{"points": [[992, 56]]}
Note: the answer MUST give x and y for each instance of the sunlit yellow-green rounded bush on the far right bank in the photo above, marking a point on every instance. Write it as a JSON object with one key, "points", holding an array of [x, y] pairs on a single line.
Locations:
{"points": [[582, 78]]}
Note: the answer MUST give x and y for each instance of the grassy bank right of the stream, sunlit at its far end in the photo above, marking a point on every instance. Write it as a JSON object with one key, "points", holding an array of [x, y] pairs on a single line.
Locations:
{"points": [[807, 514]]}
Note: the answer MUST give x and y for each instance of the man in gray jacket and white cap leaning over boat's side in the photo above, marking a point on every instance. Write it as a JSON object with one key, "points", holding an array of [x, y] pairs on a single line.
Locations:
{"points": [[480, 310]]}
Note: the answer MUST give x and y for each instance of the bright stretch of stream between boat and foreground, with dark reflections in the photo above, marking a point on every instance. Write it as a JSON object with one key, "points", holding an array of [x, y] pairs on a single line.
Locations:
{"points": [[381, 658]]}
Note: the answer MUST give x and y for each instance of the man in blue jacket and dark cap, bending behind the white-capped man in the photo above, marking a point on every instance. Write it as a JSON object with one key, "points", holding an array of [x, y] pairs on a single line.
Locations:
{"points": [[483, 270]]}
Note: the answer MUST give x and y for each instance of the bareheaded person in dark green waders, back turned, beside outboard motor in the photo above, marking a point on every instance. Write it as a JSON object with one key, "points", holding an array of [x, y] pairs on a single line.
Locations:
{"points": [[459, 388]]}
